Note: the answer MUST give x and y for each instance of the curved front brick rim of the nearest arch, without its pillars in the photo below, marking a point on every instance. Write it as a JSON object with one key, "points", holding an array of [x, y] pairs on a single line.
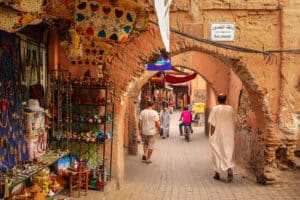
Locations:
{"points": [[126, 61]]}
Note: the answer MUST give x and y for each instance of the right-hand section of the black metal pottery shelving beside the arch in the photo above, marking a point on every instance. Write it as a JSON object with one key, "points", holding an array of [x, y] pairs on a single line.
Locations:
{"points": [[92, 120]]}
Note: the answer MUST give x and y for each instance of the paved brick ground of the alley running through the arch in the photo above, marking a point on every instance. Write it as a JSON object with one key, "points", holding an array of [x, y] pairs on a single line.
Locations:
{"points": [[183, 171]]}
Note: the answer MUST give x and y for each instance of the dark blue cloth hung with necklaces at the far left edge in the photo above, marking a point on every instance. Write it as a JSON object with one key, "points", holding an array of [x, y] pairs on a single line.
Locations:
{"points": [[12, 141]]}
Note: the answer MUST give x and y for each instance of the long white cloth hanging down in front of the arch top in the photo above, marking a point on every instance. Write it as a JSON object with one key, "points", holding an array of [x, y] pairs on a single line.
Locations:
{"points": [[162, 8]]}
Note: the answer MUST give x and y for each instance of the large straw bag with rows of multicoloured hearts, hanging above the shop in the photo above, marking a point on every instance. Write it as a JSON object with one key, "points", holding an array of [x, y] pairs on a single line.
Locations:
{"points": [[103, 20]]}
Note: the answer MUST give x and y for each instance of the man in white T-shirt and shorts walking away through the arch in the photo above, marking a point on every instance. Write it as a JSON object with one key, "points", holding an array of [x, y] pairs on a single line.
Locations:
{"points": [[148, 125]]}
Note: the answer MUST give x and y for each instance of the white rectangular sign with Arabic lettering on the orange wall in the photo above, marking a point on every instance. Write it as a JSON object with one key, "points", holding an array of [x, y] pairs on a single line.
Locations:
{"points": [[222, 31]]}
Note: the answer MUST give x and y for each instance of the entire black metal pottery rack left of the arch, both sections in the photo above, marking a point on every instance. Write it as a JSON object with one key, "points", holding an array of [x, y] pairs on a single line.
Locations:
{"points": [[82, 122]]}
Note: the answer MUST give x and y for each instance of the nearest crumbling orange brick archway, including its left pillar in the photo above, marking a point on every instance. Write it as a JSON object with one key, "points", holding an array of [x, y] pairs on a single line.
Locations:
{"points": [[126, 67]]}
